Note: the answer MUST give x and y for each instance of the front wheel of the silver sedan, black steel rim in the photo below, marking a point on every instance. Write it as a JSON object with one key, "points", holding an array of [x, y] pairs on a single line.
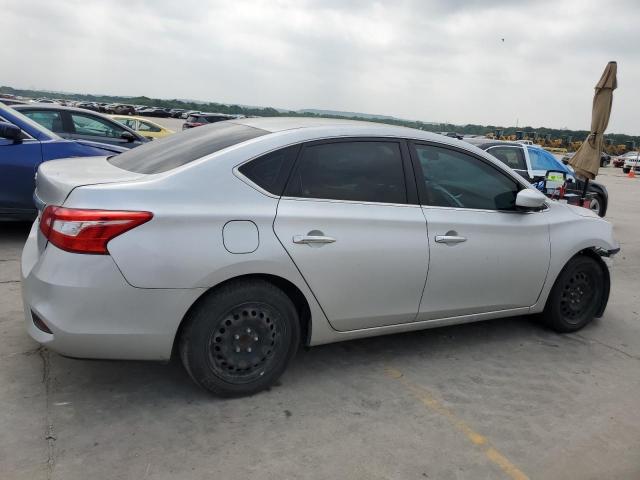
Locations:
{"points": [[576, 295]]}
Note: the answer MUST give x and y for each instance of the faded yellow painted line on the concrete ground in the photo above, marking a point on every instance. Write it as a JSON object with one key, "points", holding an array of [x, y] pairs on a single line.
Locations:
{"points": [[433, 404]]}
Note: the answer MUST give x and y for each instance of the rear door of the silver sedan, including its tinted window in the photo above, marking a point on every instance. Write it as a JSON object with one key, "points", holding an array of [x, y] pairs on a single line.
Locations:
{"points": [[355, 231]]}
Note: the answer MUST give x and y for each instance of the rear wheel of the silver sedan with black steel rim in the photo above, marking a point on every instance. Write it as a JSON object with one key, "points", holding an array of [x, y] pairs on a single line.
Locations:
{"points": [[239, 339]]}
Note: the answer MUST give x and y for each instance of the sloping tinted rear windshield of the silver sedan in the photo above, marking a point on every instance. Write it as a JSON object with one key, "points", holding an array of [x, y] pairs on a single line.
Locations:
{"points": [[185, 147]]}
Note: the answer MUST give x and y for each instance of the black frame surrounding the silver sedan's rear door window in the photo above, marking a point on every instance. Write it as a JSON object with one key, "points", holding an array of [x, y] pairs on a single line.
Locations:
{"points": [[409, 175]]}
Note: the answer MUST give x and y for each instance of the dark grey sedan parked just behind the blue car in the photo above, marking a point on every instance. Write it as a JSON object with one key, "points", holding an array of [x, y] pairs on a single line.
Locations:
{"points": [[80, 124]]}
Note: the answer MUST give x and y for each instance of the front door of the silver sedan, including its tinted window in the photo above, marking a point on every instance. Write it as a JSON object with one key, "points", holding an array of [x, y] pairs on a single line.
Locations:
{"points": [[485, 256]]}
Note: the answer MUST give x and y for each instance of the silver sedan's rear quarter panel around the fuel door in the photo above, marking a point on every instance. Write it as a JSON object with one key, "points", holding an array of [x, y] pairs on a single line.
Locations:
{"points": [[182, 247]]}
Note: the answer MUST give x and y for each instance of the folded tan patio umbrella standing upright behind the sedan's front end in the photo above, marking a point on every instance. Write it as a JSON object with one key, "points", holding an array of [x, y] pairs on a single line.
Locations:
{"points": [[586, 161]]}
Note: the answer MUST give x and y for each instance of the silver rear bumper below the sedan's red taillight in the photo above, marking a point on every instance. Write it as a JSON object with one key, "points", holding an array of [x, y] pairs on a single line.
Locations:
{"points": [[92, 311]]}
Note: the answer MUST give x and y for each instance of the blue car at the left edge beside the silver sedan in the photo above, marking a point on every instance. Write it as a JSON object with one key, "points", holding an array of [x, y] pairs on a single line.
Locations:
{"points": [[24, 145]]}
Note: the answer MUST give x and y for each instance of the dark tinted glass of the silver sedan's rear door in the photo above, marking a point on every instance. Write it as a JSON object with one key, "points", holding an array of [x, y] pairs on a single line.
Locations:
{"points": [[367, 171]]}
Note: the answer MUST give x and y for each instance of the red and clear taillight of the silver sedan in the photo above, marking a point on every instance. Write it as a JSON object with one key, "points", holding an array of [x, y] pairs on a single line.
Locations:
{"points": [[87, 231]]}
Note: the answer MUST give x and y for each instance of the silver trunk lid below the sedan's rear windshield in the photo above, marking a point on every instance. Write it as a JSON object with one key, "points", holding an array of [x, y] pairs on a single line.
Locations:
{"points": [[57, 178]]}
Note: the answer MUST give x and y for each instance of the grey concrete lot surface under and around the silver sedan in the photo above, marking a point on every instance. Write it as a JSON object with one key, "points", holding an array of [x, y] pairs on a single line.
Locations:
{"points": [[498, 399]]}
